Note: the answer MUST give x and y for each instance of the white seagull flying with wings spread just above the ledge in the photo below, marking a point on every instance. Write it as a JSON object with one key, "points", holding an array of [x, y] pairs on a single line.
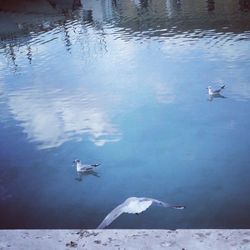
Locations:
{"points": [[133, 205]]}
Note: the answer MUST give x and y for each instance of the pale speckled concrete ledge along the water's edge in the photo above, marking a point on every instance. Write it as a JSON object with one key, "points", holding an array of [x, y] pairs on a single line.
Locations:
{"points": [[125, 239]]}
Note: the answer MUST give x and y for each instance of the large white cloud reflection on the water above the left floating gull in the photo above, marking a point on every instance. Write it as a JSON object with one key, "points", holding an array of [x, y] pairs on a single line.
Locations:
{"points": [[52, 118]]}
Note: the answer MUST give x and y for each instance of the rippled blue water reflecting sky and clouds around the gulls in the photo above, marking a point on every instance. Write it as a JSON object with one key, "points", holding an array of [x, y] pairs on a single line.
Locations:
{"points": [[124, 84]]}
